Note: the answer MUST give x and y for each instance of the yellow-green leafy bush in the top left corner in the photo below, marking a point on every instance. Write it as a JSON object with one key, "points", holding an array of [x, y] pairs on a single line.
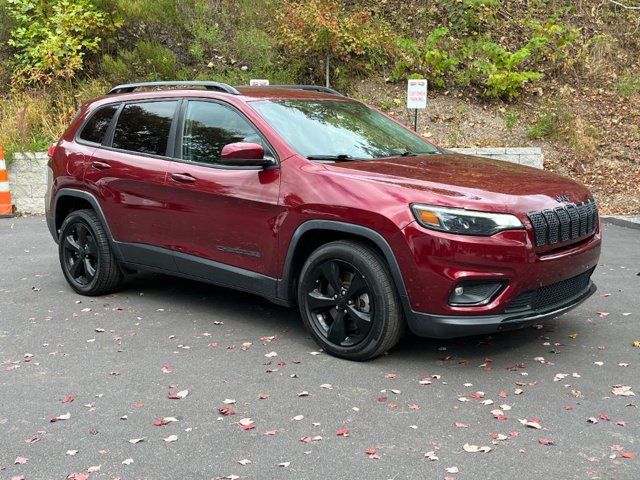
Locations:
{"points": [[51, 39]]}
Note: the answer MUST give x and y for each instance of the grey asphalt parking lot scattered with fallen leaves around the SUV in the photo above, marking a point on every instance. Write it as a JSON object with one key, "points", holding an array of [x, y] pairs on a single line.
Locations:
{"points": [[82, 380]]}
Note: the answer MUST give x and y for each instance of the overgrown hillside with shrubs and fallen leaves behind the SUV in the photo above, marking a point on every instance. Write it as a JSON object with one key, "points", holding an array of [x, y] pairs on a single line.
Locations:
{"points": [[561, 74]]}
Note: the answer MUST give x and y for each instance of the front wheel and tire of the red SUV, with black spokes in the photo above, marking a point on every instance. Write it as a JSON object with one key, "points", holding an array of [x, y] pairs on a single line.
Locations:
{"points": [[348, 301]]}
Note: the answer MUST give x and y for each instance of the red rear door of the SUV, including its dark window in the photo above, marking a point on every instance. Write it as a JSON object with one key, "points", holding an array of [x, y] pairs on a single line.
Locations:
{"points": [[128, 171]]}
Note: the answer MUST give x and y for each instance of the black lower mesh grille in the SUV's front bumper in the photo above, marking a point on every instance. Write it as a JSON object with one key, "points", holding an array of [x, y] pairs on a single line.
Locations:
{"points": [[552, 296]]}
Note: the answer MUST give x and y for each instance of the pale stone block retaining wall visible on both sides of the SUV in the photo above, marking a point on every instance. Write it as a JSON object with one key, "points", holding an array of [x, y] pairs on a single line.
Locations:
{"points": [[28, 172]]}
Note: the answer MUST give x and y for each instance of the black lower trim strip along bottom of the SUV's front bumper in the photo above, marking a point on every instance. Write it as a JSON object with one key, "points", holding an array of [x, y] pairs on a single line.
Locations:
{"points": [[451, 326]]}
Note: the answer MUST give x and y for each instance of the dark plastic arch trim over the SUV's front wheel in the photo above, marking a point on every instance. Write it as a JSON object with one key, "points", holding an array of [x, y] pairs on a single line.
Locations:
{"points": [[314, 233]]}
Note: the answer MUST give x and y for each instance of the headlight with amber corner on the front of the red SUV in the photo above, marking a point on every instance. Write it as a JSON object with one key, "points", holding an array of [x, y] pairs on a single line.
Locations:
{"points": [[465, 222]]}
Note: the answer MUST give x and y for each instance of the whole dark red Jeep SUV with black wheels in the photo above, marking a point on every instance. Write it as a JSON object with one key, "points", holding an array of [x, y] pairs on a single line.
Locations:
{"points": [[309, 198]]}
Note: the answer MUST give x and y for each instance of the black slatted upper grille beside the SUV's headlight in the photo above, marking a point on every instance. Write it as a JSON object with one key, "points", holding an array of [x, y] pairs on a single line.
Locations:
{"points": [[571, 221]]}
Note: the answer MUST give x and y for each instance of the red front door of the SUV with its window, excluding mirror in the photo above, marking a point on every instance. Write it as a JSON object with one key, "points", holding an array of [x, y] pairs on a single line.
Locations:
{"points": [[219, 213]]}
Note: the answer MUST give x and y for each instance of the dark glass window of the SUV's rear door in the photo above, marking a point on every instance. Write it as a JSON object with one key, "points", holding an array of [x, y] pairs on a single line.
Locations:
{"points": [[144, 127]]}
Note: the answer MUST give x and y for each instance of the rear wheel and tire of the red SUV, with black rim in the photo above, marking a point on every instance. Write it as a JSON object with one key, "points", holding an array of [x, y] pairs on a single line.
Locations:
{"points": [[86, 256]]}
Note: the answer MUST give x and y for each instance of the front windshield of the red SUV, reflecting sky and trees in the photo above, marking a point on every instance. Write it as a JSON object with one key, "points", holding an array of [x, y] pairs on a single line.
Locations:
{"points": [[338, 130]]}
